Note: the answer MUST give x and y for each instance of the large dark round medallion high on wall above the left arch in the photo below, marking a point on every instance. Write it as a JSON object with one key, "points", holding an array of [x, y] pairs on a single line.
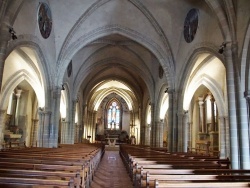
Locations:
{"points": [[44, 20]]}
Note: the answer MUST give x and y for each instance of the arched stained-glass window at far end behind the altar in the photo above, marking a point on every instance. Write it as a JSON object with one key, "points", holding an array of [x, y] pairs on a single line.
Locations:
{"points": [[114, 116]]}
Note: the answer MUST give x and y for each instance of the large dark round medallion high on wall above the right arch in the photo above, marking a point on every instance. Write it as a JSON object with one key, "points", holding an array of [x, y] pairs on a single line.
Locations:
{"points": [[191, 25]]}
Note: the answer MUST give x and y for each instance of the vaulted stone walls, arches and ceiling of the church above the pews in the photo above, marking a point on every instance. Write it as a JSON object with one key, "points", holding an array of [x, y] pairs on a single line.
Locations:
{"points": [[84, 71]]}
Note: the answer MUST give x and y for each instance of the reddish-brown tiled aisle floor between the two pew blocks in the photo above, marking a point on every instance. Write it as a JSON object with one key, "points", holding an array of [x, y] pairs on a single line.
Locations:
{"points": [[111, 172]]}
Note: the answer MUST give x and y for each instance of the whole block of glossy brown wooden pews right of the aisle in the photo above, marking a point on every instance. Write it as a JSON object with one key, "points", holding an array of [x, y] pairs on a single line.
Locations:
{"points": [[159, 164]]}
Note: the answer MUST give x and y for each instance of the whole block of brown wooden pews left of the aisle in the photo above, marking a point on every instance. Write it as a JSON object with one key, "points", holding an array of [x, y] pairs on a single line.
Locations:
{"points": [[52, 164]]}
